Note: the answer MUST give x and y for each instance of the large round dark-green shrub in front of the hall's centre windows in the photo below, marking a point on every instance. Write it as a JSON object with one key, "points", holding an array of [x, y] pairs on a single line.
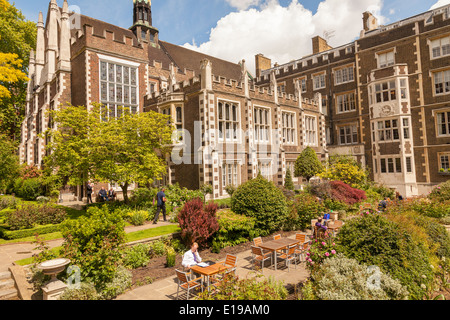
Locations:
{"points": [[262, 200]]}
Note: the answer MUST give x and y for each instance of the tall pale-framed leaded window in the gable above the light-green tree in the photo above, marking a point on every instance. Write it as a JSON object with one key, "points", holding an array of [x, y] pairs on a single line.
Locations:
{"points": [[118, 87]]}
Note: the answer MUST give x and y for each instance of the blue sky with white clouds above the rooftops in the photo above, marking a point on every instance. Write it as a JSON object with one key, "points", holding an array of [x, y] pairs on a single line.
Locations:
{"points": [[239, 29]]}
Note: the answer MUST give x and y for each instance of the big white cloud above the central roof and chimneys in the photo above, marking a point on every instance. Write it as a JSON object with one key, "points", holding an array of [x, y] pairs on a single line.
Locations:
{"points": [[282, 33]]}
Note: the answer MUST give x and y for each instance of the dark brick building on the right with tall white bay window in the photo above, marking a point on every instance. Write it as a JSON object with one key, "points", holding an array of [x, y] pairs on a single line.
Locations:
{"points": [[386, 97]]}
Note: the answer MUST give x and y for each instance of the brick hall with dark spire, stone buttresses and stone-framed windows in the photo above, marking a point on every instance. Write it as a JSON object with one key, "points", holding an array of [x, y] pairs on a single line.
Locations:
{"points": [[229, 129]]}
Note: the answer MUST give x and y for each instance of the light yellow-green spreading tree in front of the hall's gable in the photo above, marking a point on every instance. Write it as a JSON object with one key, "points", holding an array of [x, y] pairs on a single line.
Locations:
{"points": [[124, 150]]}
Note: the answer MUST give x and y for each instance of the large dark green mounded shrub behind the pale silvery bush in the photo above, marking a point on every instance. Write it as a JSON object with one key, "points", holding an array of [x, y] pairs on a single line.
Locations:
{"points": [[374, 240]]}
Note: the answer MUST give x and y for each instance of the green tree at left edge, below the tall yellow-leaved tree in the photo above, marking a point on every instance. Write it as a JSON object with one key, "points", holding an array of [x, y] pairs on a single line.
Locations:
{"points": [[9, 162]]}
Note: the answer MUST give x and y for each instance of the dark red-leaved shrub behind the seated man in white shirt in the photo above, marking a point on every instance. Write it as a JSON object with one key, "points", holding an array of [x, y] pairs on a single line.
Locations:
{"points": [[198, 222]]}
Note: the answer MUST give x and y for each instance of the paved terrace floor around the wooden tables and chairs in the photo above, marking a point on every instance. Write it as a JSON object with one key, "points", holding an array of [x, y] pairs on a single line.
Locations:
{"points": [[166, 289]]}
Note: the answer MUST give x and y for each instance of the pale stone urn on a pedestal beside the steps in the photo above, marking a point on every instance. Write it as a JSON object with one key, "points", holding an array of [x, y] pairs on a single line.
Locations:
{"points": [[54, 288]]}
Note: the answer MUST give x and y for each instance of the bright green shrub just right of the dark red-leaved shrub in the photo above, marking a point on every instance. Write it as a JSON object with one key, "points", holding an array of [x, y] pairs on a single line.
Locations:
{"points": [[233, 230]]}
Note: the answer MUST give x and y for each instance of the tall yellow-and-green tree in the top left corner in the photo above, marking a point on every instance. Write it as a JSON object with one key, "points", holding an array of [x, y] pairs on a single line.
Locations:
{"points": [[18, 38]]}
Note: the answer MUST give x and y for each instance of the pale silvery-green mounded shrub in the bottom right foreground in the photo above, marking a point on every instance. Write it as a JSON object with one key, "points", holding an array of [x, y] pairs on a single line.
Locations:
{"points": [[340, 278]]}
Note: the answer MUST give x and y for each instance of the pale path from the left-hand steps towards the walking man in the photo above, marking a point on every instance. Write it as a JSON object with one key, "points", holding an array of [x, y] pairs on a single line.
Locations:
{"points": [[18, 251]]}
